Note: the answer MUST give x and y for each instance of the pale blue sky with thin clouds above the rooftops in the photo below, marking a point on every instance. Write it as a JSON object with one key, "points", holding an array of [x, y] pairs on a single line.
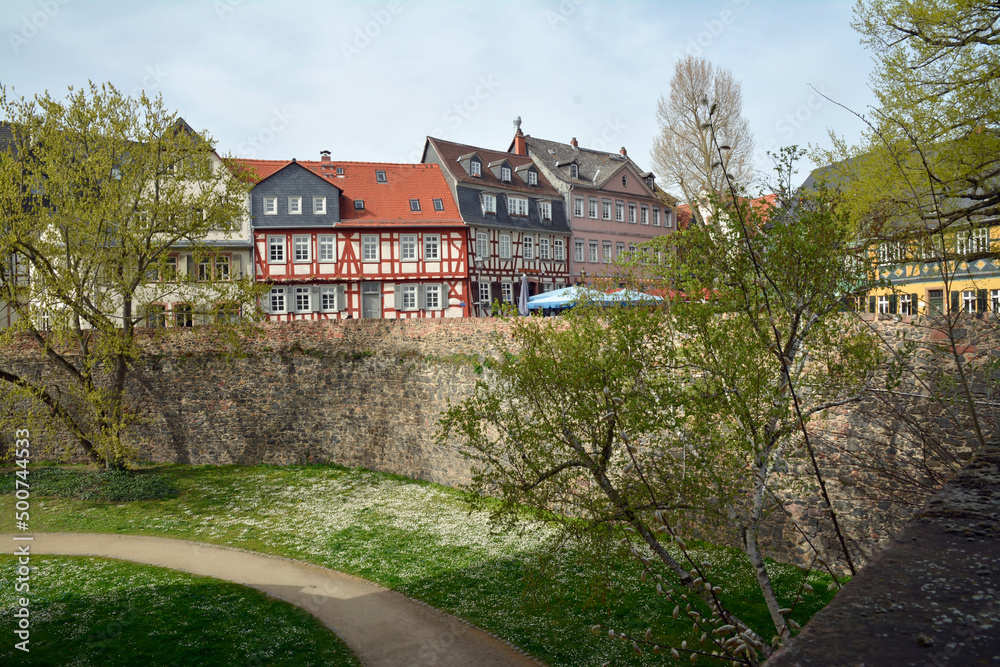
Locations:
{"points": [[369, 81]]}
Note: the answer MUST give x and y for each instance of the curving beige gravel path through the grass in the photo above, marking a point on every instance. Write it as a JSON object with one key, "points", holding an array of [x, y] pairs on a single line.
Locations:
{"points": [[382, 627]]}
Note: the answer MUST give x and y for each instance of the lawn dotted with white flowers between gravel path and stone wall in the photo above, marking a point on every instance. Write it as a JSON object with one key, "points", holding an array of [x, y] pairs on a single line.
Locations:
{"points": [[421, 540]]}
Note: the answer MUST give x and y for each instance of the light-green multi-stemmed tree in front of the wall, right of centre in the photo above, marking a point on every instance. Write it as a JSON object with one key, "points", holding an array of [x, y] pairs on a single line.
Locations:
{"points": [[645, 417]]}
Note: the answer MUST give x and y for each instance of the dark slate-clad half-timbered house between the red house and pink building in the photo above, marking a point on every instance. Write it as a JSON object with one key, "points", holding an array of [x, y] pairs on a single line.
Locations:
{"points": [[516, 222]]}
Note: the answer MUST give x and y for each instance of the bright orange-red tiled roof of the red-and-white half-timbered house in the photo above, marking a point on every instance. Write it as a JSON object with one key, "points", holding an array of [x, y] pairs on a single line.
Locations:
{"points": [[385, 203]]}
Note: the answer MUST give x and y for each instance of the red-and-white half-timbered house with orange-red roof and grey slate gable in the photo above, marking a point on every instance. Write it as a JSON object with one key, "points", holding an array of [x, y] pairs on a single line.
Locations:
{"points": [[338, 240]]}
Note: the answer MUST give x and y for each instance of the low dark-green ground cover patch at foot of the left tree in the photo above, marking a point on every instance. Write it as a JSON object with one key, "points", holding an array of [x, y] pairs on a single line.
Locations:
{"points": [[108, 485]]}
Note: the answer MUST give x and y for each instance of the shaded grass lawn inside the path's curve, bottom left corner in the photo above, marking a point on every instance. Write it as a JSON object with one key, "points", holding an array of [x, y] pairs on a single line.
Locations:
{"points": [[95, 611]]}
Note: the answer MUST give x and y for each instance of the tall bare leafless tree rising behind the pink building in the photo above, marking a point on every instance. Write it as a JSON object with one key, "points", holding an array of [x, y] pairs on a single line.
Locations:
{"points": [[683, 154]]}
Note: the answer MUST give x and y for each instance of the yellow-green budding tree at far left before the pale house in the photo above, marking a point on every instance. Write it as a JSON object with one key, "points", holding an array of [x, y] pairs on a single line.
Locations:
{"points": [[95, 191]]}
